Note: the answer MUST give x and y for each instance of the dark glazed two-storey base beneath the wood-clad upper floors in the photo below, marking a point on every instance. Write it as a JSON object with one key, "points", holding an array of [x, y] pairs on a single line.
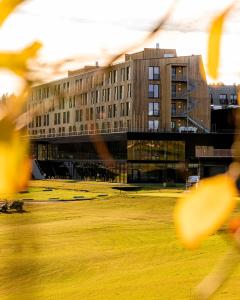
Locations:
{"points": [[135, 158]]}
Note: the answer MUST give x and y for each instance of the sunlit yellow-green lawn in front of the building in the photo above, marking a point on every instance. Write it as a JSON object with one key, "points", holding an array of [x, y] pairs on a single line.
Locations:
{"points": [[118, 246]]}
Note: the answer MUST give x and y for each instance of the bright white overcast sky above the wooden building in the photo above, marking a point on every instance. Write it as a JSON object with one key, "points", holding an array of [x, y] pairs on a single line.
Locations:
{"points": [[87, 31]]}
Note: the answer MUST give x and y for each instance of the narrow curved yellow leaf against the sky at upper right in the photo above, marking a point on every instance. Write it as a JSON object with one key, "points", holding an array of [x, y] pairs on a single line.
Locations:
{"points": [[215, 34]]}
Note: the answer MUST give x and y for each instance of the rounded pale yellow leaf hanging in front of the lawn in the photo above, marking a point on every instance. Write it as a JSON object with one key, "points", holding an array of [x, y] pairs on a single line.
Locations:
{"points": [[203, 210]]}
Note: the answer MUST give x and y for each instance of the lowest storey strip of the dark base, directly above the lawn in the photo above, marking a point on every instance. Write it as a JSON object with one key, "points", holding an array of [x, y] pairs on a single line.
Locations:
{"points": [[168, 173]]}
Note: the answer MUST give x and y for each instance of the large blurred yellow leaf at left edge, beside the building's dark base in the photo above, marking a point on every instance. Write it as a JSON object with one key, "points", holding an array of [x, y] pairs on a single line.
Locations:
{"points": [[15, 168]]}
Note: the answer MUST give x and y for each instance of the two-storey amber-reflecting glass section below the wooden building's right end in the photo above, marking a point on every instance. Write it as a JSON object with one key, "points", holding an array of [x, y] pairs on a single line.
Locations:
{"points": [[156, 161]]}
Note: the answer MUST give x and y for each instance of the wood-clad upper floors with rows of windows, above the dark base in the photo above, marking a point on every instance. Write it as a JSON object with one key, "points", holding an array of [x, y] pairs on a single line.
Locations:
{"points": [[152, 90]]}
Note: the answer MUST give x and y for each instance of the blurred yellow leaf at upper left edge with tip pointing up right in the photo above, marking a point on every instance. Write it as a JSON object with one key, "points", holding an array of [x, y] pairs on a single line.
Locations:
{"points": [[17, 62]]}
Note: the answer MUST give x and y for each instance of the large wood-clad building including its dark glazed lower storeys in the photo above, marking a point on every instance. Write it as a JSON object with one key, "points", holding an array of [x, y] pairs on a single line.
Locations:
{"points": [[141, 116]]}
